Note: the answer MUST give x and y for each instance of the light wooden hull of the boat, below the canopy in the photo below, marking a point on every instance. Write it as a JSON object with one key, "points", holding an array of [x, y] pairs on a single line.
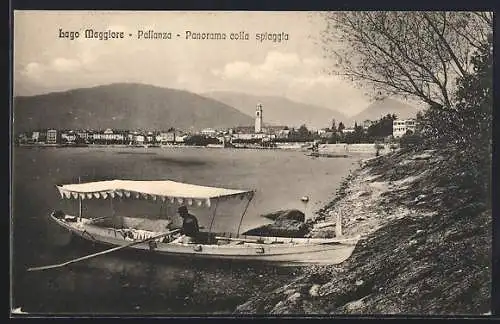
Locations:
{"points": [[284, 251]]}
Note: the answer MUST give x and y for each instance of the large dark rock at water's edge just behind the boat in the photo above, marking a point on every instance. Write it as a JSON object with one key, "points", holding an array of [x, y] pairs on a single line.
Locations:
{"points": [[287, 223]]}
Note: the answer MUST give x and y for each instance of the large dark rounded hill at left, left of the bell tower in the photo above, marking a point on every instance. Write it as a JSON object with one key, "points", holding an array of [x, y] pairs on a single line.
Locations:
{"points": [[124, 106]]}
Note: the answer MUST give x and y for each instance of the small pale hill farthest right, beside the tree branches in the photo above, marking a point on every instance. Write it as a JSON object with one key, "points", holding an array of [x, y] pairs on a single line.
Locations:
{"points": [[382, 107]]}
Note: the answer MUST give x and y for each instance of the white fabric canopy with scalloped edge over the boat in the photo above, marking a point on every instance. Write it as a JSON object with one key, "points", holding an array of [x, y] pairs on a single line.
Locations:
{"points": [[166, 190]]}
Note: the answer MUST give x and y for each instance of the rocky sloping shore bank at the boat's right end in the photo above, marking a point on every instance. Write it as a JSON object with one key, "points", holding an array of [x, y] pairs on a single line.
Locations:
{"points": [[425, 247]]}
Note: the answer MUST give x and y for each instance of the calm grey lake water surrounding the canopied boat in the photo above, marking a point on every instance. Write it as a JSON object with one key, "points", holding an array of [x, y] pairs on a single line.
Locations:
{"points": [[137, 284]]}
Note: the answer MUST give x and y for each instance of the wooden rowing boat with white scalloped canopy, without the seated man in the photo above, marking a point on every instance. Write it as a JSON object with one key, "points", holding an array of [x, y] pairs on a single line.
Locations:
{"points": [[210, 244]]}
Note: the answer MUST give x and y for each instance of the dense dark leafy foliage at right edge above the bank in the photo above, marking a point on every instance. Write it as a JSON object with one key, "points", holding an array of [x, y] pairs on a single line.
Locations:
{"points": [[467, 128]]}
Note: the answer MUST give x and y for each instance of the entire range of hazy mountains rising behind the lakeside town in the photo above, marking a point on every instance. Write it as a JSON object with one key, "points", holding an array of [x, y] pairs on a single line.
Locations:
{"points": [[140, 106]]}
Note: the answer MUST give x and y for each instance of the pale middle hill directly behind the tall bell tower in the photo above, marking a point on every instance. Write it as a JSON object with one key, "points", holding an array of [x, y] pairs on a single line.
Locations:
{"points": [[279, 110]]}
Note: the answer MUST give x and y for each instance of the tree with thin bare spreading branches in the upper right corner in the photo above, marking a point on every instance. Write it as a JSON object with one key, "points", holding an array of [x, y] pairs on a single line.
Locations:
{"points": [[410, 54]]}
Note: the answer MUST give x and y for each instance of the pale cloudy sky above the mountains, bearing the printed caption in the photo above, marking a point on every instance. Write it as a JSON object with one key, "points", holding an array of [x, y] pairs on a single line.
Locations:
{"points": [[294, 68]]}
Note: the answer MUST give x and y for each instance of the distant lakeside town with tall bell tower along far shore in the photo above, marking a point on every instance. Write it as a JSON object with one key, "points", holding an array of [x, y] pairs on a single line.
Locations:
{"points": [[385, 130]]}
